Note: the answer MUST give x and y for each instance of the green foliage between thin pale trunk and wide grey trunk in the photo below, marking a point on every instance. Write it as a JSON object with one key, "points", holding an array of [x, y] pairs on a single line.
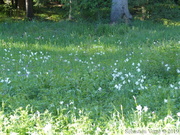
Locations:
{"points": [[89, 10]]}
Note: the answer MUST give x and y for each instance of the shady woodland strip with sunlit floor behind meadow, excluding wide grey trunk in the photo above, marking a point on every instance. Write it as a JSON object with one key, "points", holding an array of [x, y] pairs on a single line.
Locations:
{"points": [[90, 10]]}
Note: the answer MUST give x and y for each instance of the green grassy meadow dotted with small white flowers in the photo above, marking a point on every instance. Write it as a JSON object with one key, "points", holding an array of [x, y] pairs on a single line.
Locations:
{"points": [[89, 78]]}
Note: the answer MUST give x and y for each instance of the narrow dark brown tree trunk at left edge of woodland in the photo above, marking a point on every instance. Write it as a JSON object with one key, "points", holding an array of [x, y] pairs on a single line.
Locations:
{"points": [[29, 9]]}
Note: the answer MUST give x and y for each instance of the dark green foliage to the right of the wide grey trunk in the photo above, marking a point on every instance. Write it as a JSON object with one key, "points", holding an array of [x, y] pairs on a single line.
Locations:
{"points": [[155, 10]]}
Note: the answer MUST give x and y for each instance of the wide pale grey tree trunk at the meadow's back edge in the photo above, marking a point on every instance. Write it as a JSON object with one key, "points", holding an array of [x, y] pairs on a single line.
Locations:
{"points": [[120, 11]]}
